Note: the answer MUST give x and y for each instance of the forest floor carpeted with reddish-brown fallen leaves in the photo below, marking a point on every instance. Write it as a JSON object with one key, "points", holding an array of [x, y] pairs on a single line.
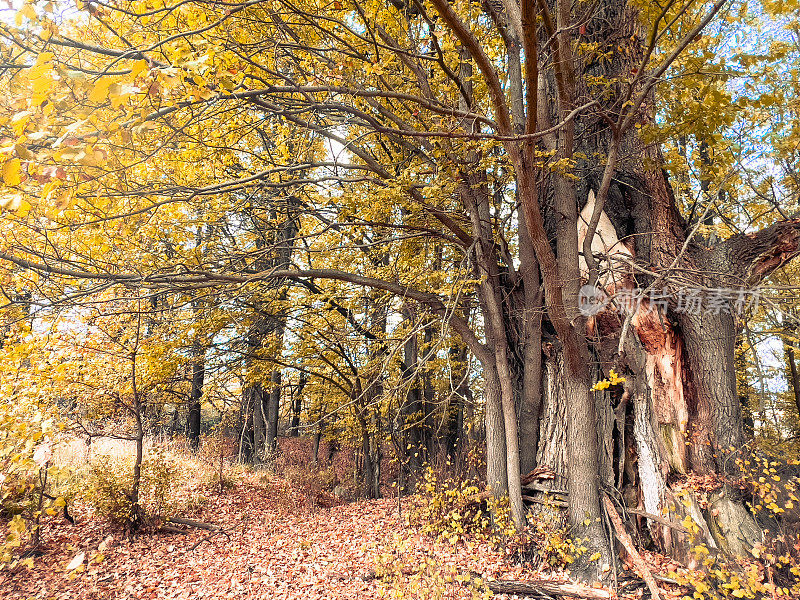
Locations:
{"points": [[274, 545]]}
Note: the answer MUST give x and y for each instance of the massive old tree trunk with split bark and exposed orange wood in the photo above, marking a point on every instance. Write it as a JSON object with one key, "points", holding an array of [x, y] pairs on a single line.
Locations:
{"points": [[681, 389]]}
